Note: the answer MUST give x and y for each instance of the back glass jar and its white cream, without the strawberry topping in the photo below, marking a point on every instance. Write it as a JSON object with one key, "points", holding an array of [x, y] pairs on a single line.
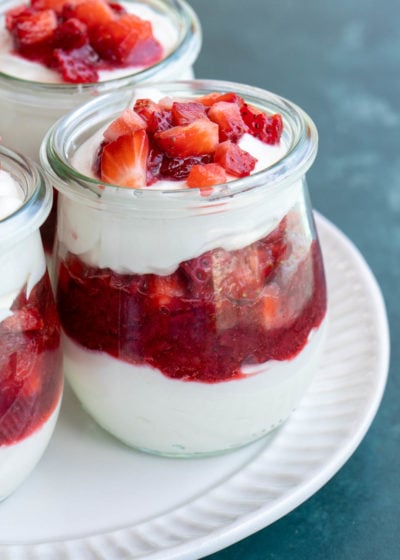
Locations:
{"points": [[30, 102]]}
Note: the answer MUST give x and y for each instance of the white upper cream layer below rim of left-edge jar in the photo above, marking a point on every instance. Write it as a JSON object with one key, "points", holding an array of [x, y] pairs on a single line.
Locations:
{"points": [[24, 264]]}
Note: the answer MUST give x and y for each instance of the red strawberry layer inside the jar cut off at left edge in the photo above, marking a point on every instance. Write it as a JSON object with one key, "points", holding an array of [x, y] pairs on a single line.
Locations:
{"points": [[30, 364]]}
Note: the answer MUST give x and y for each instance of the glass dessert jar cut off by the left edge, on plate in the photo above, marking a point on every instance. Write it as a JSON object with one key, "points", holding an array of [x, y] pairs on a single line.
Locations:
{"points": [[30, 349]]}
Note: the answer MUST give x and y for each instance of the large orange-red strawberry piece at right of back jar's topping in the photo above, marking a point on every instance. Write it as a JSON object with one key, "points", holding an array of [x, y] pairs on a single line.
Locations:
{"points": [[127, 40]]}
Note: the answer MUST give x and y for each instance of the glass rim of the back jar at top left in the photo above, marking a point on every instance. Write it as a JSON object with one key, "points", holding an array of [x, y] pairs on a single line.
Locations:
{"points": [[184, 53]]}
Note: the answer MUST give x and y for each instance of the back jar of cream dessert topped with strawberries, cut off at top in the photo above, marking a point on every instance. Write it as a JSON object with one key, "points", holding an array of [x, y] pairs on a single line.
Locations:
{"points": [[55, 54]]}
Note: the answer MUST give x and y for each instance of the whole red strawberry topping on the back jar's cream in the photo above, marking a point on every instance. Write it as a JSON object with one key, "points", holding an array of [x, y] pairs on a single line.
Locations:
{"points": [[79, 38]]}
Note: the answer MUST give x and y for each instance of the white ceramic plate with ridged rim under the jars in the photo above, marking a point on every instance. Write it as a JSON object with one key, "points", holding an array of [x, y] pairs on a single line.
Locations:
{"points": [[92, 498]]}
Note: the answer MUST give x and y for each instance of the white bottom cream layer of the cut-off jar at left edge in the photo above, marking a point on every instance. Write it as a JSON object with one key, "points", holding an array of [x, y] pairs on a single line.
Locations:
{"points": [[17, 461]]}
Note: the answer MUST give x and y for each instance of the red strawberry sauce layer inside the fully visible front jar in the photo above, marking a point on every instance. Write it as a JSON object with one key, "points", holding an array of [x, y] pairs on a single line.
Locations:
{"points": [[213, 315]]}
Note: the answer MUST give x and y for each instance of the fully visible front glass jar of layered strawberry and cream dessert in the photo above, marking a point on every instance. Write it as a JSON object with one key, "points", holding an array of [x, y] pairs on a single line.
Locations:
{"points": [[189, 277]]}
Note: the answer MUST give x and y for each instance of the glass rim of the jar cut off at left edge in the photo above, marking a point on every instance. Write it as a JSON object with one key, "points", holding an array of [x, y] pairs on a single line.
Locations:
{"points": [[37, 201]]}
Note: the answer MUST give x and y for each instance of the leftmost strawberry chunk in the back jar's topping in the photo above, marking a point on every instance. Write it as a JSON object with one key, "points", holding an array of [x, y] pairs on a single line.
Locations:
{"points": [[35, 30]]}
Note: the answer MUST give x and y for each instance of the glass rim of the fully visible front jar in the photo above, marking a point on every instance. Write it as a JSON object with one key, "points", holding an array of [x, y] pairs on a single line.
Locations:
{"points": [[301, 137]]}
